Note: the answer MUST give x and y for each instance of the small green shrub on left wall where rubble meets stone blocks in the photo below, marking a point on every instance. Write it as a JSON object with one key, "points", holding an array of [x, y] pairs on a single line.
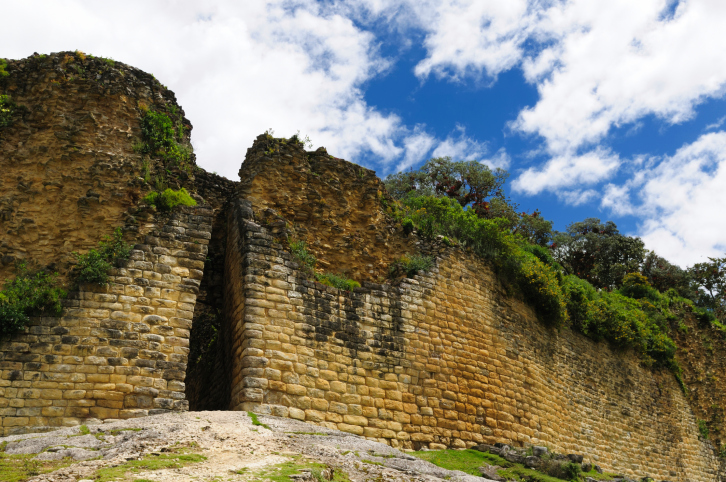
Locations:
{"points": [[93, 266]]}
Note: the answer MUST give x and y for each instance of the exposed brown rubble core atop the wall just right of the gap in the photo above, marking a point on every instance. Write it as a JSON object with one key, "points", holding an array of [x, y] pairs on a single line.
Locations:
{"points": [[338, 208]]}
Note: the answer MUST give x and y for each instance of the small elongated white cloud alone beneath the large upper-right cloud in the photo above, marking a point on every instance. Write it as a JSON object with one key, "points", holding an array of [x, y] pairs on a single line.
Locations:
{"points": [[566, 171]]}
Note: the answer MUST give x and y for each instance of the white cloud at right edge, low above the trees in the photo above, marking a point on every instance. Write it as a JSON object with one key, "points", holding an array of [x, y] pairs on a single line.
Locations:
{"points": [[682, 202]]}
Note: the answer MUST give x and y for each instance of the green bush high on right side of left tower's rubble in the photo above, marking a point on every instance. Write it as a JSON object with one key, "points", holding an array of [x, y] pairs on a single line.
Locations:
{"points": [[162, 138]]}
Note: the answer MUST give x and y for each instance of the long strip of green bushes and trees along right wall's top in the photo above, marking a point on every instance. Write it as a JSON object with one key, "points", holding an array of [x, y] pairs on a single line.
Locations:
{"points": [[586, 278]]}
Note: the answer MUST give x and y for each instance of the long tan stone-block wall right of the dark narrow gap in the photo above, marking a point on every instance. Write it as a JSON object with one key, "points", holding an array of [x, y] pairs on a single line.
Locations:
{"points": [[444, 360]]}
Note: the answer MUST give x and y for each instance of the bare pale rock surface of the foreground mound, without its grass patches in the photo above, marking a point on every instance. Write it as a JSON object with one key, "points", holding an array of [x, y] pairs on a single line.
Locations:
{"points": [[230, 442]]}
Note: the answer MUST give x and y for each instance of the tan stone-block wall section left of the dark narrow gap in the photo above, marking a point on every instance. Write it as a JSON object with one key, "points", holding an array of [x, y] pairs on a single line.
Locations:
{"points": [[118, 351]]}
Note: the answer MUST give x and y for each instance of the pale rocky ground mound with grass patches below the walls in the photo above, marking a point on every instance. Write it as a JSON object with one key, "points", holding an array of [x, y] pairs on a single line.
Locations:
{"points": [[206, 446]]}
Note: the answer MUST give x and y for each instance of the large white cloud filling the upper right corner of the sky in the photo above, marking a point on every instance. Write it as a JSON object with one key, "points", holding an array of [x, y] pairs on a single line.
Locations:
{"points": [[615, 62]]}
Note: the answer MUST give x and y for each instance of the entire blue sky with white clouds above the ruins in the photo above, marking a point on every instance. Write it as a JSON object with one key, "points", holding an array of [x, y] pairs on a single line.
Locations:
{"points": [[597, 108]]}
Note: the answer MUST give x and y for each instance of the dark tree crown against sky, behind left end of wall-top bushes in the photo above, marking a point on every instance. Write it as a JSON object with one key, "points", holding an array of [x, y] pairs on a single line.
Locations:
{"points": [[471, 184]]}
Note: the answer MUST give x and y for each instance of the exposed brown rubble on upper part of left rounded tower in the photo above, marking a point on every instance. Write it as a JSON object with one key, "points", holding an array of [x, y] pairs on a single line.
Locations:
{"points": [[69, 167]]}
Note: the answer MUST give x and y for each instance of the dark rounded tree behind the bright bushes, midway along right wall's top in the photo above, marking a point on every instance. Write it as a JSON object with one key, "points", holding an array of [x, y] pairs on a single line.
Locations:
{"points": [[597, 252]]}
